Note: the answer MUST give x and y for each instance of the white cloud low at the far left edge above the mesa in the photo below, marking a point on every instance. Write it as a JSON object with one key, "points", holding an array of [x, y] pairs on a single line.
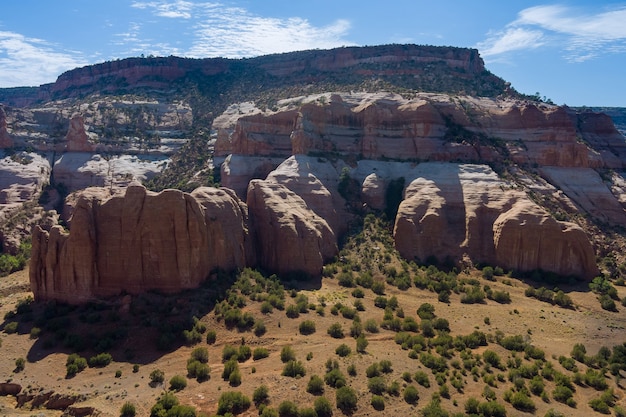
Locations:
{"points": [[30, 62]]}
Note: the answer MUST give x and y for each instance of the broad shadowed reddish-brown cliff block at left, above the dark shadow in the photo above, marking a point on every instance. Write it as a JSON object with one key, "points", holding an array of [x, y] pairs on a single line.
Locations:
{"points": [[168, 241]]}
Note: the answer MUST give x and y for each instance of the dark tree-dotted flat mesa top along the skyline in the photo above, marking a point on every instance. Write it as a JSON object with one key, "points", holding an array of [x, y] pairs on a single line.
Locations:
{"points": [[463, 67]]}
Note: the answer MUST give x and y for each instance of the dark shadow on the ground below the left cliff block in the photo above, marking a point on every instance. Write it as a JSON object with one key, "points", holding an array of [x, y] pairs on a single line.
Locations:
{"points": [[136, 329]]}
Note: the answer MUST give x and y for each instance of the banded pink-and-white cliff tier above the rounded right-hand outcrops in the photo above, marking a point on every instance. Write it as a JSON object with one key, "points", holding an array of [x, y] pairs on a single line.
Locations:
{"points": [[427, 127]]}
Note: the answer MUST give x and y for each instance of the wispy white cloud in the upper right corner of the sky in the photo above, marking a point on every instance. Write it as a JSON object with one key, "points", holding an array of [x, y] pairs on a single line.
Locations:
{"points": [[579, 34]]}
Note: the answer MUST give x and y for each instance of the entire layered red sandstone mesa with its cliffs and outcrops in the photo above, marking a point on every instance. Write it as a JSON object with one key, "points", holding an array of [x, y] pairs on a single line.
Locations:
{"points": [[477, 174]]}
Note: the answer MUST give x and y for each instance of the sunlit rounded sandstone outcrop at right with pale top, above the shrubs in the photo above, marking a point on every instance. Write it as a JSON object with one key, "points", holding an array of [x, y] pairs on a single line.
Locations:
{"points": [[456, 210]]}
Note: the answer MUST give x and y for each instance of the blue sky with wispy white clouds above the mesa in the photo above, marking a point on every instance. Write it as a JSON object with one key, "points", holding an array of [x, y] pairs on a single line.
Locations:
{"points": [[573, 52]]}
